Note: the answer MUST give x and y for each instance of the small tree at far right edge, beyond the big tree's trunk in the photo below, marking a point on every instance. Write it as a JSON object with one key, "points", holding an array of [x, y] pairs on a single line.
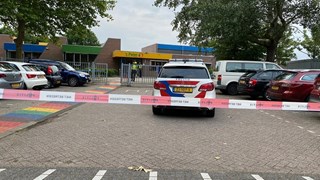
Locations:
{"points": [[311, 43]]}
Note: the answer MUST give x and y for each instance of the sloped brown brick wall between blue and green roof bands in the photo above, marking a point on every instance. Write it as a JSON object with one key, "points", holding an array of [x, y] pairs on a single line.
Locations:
{"points": [[54, 50]]}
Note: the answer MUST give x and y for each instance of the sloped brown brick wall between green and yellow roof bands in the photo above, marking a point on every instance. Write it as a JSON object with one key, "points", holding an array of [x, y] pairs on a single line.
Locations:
{"points": [[105, 55]]}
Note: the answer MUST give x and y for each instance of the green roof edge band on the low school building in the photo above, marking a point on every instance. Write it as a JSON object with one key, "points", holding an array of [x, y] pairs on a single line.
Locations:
{"points": [[80, 49]]}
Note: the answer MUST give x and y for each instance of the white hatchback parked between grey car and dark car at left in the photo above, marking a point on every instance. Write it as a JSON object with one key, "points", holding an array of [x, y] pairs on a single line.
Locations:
{"points": [[33, 77]]}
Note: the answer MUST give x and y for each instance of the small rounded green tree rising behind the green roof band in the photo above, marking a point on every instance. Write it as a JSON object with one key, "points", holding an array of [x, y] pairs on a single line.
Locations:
{"points": [[82, 37]]}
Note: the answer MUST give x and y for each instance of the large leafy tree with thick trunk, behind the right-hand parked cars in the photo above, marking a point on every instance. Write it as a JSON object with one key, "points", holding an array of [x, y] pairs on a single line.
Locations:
{"points": [[261, 22]]}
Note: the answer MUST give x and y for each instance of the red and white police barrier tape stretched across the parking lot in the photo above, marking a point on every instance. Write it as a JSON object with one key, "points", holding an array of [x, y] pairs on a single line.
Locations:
{"points": [[154, 100]]}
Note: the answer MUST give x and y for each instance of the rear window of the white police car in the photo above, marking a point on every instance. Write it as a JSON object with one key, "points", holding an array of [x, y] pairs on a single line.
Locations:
{"points": [[184, 72]]}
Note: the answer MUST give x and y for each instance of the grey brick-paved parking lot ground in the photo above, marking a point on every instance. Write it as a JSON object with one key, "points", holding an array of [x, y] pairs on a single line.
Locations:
{"points": [[233, 143]]}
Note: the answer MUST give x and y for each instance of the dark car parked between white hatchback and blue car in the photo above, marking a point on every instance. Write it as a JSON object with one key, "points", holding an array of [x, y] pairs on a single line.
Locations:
{"points": [[52, 74]]}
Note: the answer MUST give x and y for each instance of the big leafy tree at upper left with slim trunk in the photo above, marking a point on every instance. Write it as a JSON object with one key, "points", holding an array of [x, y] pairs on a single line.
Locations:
{"points": [[50, 18]]}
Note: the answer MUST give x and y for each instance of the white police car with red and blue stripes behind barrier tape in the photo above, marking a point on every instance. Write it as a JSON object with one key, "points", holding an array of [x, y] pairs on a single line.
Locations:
{"points": [[184, 78]]}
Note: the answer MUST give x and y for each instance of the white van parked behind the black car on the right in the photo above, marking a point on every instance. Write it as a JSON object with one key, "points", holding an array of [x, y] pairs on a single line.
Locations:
{"points": [[227, 73]]}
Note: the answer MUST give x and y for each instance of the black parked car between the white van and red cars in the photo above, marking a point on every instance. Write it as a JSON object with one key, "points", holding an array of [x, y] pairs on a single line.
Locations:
{"points": [[256, 83]]}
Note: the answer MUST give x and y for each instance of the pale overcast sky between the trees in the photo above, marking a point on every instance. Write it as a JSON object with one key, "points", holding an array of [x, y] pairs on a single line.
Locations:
{"points": [[139, 24]]}
